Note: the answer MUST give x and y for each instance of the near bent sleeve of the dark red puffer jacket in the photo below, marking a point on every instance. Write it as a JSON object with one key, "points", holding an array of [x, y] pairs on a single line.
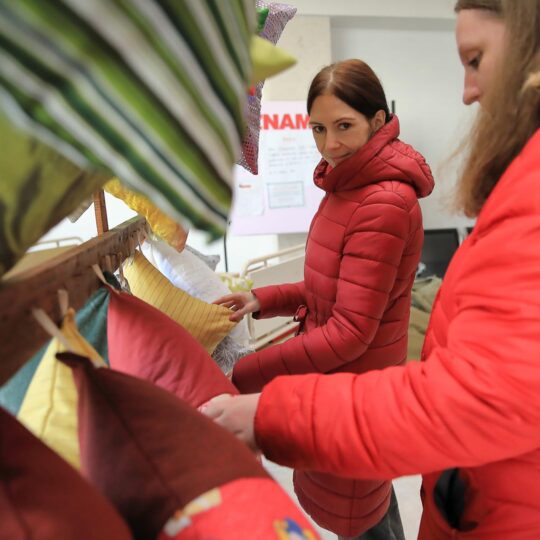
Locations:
{"points": [[373, 247]]}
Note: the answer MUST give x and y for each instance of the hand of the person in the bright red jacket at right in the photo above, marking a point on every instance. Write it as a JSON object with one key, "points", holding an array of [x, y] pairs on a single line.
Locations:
{"points": [[236, 414]]}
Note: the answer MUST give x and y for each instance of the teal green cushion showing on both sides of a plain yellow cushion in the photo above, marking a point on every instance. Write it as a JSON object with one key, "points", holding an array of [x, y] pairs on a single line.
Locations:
{"points": [[92, 324]]}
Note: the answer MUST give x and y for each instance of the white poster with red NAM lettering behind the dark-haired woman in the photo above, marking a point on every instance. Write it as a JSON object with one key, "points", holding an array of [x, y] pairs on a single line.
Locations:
{"points": [[282, 197]]}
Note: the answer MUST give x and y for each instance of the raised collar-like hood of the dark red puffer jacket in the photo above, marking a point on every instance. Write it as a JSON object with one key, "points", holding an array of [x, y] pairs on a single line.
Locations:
{"points": [[383, 157]]}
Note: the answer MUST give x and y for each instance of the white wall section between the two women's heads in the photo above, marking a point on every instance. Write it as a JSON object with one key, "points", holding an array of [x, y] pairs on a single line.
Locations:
{"points": [[417, 63]]}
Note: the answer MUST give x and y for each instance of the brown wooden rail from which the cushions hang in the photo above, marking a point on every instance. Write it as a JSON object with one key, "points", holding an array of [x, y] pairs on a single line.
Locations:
{"points": [[20, 334]]}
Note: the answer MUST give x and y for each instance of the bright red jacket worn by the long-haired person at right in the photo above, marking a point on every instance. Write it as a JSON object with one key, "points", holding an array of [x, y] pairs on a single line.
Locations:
{"points": [[474, 403]]}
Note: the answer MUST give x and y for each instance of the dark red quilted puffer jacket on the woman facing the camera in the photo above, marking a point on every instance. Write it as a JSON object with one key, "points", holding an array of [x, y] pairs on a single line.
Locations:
{"points": [[361, 256]]}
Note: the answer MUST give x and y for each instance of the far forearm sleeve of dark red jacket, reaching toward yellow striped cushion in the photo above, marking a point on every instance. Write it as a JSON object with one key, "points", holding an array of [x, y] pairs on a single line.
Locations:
{"points": [[279, 300]]}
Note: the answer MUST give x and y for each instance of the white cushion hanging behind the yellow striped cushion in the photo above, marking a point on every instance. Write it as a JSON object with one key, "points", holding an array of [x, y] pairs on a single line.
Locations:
{"points": [[187, 272]]}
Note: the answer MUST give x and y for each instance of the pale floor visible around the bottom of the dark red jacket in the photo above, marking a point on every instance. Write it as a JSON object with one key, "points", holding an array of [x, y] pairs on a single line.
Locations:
{"points": [[407, 491]]}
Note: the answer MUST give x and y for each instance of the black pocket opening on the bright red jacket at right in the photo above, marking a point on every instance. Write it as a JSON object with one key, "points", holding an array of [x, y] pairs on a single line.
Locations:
{"points": [[450, 494]]}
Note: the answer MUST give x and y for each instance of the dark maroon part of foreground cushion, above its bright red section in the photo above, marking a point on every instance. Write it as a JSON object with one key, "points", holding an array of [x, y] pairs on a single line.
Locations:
{"points": [[149, 452]]}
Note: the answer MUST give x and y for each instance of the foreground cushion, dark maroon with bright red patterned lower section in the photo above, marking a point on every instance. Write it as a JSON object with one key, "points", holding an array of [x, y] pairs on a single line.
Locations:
{"points": [[167, 455]]}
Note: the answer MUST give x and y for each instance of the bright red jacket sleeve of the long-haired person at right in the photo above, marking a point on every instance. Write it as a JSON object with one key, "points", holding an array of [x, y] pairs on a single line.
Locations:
{"points": [[474, 401]]}
